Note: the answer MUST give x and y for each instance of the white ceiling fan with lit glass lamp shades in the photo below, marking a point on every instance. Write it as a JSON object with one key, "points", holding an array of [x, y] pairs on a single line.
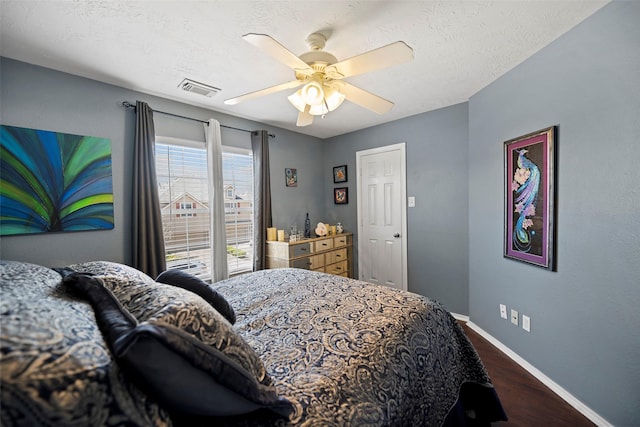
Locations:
{"points": [[322, 75]]}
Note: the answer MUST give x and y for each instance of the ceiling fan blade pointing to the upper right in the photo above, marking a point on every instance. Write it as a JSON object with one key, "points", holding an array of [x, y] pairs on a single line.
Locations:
{"points": [[382, 57]]}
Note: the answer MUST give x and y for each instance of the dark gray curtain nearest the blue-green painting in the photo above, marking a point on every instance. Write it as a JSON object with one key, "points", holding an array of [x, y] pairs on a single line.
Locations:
{"points": [[147, 238]]}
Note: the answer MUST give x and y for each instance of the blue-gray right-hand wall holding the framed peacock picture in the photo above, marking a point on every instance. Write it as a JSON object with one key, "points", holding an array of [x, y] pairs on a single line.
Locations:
{"points": [[584, 317]]}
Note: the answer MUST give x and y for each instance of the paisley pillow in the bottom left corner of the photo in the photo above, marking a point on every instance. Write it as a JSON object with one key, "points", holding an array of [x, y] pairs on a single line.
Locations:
{"points": [[55, 366]]}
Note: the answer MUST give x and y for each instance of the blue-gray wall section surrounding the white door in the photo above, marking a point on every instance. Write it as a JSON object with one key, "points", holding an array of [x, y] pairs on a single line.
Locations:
{"points": [[437, 228]]}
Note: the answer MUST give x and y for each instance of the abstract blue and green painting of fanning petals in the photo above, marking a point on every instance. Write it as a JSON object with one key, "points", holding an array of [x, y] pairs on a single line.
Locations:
{"points": [[53, 182]]}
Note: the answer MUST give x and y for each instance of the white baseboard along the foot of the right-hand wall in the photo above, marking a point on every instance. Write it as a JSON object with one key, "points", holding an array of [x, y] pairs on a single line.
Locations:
{"points": [[557, 389]]}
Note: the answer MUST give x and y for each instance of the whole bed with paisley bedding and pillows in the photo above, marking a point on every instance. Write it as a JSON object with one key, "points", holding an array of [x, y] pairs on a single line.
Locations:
{"points": [[290, 348]]}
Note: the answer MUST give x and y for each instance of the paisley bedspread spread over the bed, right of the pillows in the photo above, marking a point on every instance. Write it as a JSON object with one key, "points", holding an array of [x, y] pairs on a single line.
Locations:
{"points": [[349, 353]]}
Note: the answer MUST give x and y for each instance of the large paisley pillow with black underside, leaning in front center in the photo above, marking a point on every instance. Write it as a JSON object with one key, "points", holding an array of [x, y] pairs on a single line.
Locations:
{"points": [[182, 354]]}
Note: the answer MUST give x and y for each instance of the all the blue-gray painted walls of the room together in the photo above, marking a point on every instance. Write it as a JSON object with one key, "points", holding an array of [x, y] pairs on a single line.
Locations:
{"points": [[584, 330]]}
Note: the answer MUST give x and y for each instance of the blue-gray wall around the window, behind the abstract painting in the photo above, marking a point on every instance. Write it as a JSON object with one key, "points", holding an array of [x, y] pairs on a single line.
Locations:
{"points": [[40, 98]]}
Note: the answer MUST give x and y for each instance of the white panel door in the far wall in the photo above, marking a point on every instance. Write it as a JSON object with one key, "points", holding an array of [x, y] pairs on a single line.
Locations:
{"points": [[381, 216]]}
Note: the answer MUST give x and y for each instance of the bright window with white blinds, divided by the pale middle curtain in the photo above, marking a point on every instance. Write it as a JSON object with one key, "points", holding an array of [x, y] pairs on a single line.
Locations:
{"points": [[181, 169]]}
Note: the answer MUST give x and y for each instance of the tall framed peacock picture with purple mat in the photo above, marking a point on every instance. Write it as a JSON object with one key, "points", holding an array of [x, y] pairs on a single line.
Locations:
{"points": [[529, 194]]}
